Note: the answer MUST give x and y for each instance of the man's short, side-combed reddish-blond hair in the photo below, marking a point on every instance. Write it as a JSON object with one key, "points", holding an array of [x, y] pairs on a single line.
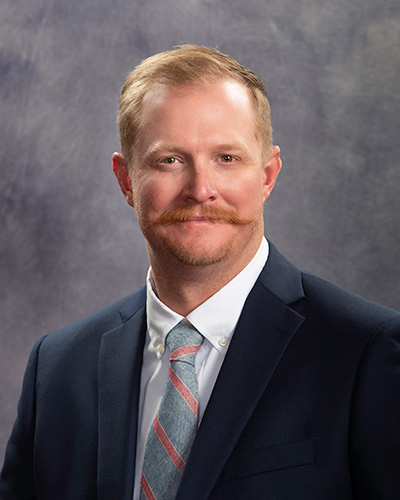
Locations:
{"points": [[186, 64]]}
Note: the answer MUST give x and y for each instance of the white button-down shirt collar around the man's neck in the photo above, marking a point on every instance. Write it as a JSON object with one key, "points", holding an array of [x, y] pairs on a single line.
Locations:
{"points": [[216, 318]]}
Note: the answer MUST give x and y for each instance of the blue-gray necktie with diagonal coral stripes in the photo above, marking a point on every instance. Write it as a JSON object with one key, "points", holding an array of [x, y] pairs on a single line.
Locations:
{"points": [[174, 428]]}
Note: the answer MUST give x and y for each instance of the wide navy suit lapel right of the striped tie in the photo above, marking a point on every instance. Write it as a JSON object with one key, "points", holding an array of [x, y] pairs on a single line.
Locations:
{"points": [[265, 328]]}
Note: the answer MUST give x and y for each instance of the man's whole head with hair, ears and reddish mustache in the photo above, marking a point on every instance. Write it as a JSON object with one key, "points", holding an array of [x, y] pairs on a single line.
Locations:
{"points": [[197, 165]]}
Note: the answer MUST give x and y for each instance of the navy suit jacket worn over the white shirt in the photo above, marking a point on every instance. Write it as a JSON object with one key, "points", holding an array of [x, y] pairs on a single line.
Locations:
{"points": [[306, 405]]}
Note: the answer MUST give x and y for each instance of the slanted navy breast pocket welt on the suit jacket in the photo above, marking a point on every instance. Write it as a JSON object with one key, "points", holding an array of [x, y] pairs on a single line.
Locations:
{"points": [[279, 456]]}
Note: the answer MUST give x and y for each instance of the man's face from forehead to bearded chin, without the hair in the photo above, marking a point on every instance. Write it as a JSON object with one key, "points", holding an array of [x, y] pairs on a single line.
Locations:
{"points": [[198, 178]]}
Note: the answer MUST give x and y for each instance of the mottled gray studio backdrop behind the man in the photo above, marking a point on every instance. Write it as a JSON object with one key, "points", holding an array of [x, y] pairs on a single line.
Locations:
{"points": [[69, 243]]}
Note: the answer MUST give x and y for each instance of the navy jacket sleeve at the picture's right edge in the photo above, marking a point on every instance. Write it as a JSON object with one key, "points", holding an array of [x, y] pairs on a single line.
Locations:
{"points": [[375, 419]]}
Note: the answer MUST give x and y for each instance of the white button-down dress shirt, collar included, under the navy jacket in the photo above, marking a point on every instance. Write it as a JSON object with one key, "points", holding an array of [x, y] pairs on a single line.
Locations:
{"points": [[215, 319]]}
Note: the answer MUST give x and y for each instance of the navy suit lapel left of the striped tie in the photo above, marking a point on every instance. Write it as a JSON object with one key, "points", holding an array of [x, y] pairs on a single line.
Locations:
{"points": [[120, 365]]}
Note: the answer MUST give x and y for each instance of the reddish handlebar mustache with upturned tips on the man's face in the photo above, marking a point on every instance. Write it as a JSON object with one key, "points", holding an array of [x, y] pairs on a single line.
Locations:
{"points": [[210, 214]]}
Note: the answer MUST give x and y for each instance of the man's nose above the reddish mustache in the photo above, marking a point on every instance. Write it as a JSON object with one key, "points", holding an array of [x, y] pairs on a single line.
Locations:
{"points": [[200, 184]]}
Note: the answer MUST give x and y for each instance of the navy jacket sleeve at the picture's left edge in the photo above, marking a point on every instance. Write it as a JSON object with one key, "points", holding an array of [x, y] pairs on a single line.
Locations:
{"points": [[17, 480]]}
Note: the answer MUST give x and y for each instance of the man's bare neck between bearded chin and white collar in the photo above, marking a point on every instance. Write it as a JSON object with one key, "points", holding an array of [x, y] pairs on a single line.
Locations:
{"points": [[184, 287]]}
